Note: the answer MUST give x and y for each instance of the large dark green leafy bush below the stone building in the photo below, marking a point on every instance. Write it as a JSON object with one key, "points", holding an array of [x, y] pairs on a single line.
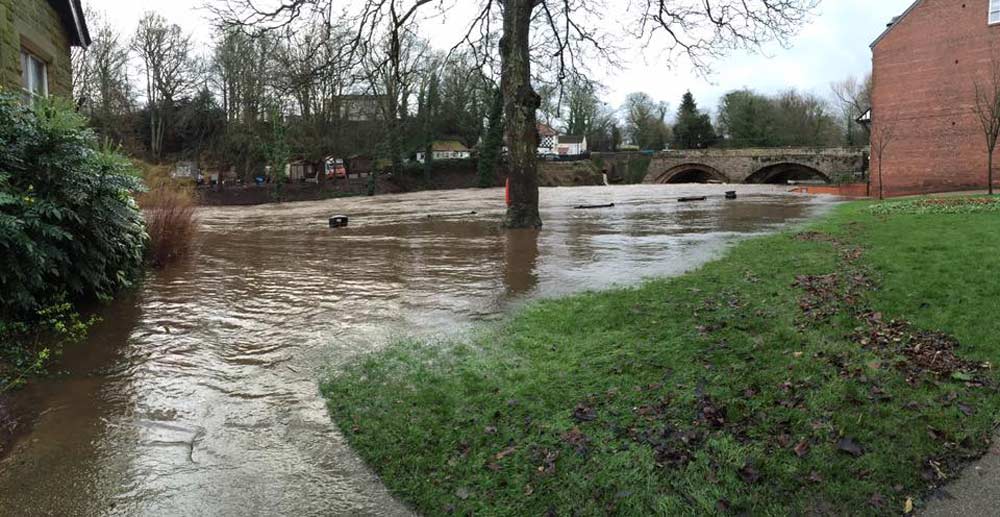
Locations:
{"points": [[69, 227]]}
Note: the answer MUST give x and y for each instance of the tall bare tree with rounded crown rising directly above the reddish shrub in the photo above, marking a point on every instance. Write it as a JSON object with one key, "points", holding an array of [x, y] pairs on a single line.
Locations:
{"points": [[165, 52]]}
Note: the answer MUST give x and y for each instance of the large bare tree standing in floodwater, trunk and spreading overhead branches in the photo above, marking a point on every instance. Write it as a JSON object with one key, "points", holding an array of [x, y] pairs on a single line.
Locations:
{"points": [[563, 31]]}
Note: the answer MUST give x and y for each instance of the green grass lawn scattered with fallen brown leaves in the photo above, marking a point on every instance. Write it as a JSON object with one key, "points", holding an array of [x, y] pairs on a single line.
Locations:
{"points": [[839, 371]]}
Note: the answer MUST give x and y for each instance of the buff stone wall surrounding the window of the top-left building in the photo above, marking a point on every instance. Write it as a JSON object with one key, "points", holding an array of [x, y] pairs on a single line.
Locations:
{"points": [[35, 25]]}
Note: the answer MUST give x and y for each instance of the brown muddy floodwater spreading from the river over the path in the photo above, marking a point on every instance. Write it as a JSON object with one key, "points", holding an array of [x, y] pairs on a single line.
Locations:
{"points": [[198, 394]]}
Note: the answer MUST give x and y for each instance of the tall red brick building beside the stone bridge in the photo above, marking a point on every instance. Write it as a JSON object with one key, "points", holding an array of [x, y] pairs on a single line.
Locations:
{"points": [[924, 68]]}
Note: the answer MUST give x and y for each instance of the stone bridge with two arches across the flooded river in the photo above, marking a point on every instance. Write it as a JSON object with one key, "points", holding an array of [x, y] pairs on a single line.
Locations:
{"points": [[776, 166]]}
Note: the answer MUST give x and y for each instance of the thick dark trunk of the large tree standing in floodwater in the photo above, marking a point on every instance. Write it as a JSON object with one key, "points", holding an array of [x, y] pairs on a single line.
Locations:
{"points": [[520, 105]]}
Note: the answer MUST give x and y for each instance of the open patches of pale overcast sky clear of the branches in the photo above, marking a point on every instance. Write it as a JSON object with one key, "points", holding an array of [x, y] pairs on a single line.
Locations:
{"points": [[832, 47]]}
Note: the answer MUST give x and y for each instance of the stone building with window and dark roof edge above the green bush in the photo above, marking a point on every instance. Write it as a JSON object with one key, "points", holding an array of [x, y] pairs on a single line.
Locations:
{"points": [[35, 41]]}
